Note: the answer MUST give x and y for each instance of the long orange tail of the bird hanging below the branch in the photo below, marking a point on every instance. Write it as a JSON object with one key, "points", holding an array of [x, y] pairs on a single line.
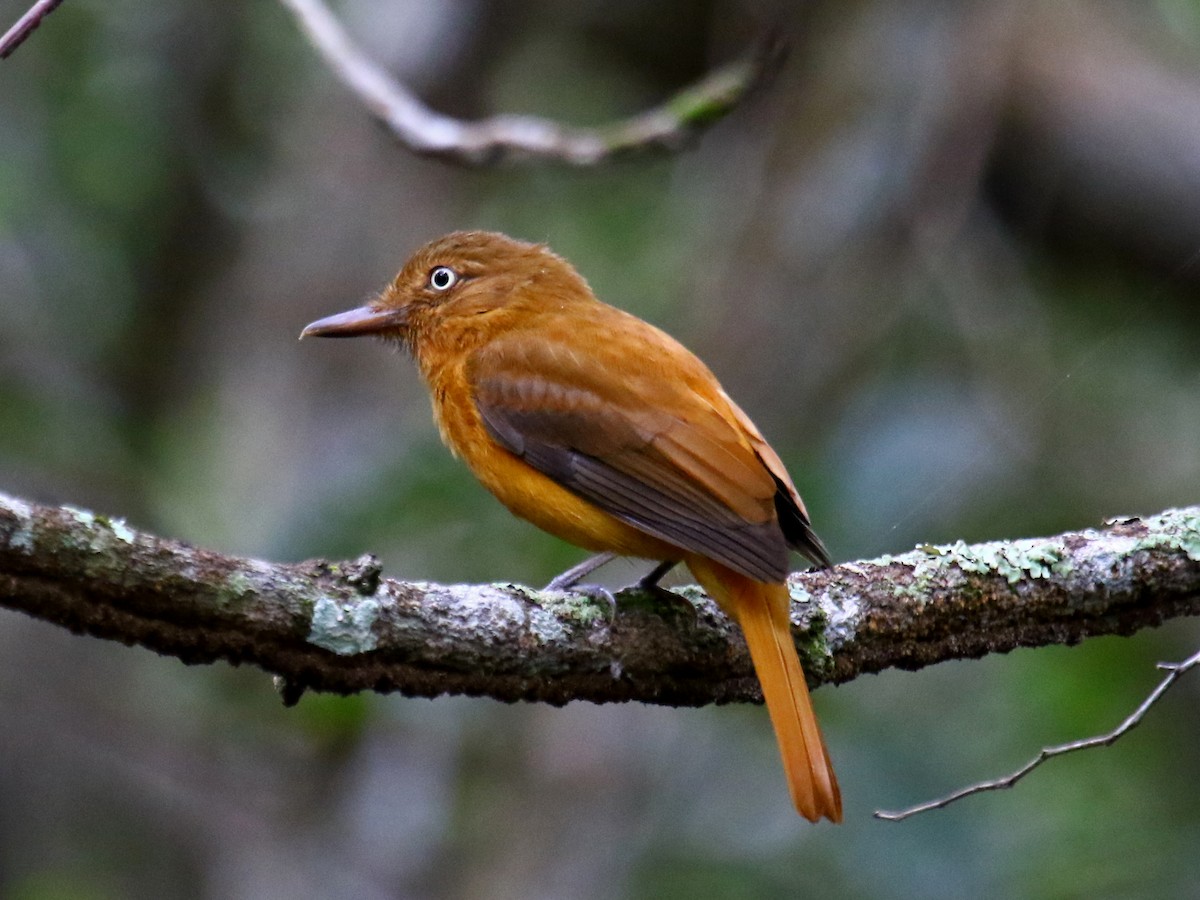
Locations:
{"points": [[763, 613]]}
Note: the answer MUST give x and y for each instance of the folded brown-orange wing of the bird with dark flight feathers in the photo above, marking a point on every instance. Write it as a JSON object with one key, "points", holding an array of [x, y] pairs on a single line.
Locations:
{"points": [[667, 455]]}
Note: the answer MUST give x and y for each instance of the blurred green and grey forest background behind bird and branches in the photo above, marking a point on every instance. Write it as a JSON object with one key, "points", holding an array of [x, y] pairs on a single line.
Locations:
{"points": [[949, 261]]}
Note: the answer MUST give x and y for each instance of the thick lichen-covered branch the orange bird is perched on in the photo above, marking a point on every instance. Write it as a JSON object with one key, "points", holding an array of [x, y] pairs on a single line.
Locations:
{"points": [[340, 627]]}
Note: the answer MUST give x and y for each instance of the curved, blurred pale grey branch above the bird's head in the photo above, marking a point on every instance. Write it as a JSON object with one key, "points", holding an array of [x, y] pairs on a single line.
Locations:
{"points": [[509, 139]]}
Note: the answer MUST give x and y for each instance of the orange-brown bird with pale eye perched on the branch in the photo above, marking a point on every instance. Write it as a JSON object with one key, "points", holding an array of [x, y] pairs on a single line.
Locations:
{"points": [[605, 431]]}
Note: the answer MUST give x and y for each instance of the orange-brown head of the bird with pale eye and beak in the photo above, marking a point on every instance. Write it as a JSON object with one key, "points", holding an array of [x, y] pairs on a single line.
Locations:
{"points": [[465, 283]]}
